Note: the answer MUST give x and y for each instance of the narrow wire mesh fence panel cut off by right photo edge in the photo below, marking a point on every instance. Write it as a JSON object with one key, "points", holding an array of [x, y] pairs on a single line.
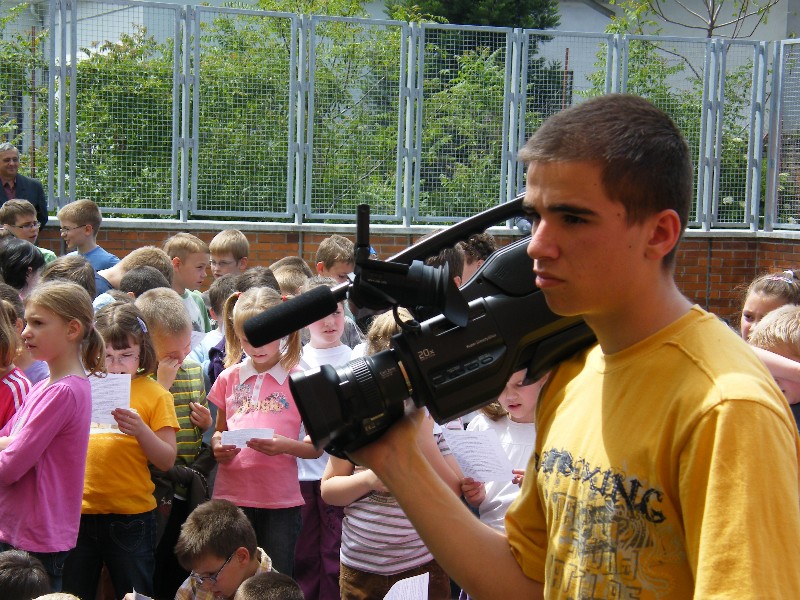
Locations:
{"points": [[787, 191]]}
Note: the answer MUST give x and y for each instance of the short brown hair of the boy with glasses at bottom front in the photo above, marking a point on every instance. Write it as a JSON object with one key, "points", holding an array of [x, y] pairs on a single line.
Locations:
{"points": [[216, 528]]}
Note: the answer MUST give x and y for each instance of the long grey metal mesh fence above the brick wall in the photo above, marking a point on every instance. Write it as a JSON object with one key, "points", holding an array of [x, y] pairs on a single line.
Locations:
{"points": [[196, 111]]}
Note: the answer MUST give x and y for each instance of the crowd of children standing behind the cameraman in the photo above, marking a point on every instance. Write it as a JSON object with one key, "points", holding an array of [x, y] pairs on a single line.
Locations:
{"points": [[169, 500]]}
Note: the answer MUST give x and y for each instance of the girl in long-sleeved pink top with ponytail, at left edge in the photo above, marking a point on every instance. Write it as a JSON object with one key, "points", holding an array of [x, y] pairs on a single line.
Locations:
{"points": [[43, 446]]}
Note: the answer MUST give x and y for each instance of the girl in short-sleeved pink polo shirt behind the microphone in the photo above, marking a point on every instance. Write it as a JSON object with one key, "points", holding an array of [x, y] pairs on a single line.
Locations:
{"points": [[262, 477]]}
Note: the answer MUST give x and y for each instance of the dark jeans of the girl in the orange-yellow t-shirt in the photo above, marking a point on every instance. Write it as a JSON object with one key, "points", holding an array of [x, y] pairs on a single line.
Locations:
{"points": [[124, 543]]}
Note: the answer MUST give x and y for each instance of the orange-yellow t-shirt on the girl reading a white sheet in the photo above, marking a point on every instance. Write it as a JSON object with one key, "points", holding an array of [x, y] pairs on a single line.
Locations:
{"points": [[117, 478]]}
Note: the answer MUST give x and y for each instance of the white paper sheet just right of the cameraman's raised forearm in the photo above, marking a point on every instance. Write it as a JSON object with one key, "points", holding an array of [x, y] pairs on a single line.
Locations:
{"points": [[479, 454]]}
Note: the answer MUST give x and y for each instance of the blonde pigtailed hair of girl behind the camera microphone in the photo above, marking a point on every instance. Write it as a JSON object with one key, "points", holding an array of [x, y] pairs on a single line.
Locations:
{"points": [[241, 307]]}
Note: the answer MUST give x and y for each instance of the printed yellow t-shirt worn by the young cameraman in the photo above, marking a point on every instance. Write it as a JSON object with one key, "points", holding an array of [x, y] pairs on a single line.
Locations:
{"points": [[668, 470]]}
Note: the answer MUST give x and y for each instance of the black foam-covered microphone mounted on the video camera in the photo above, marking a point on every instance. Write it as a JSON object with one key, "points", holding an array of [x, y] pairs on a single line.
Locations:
{"points": [[294, 314]]}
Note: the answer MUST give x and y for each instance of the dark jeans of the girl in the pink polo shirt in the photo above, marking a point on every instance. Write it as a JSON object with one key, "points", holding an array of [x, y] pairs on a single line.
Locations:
{"points": [[276, 532]]}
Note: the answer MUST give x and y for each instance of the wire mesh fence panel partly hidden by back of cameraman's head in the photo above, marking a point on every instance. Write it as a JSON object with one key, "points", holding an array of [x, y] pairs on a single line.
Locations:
{"points": [[671, 73]]}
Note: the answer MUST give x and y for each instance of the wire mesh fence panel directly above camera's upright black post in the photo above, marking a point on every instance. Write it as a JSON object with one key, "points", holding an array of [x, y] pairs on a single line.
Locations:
{"points": [[357, 69]]}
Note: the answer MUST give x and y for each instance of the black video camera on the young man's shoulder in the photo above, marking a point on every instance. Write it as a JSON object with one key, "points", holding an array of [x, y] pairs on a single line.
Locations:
{"points": [[452, 363]]}
